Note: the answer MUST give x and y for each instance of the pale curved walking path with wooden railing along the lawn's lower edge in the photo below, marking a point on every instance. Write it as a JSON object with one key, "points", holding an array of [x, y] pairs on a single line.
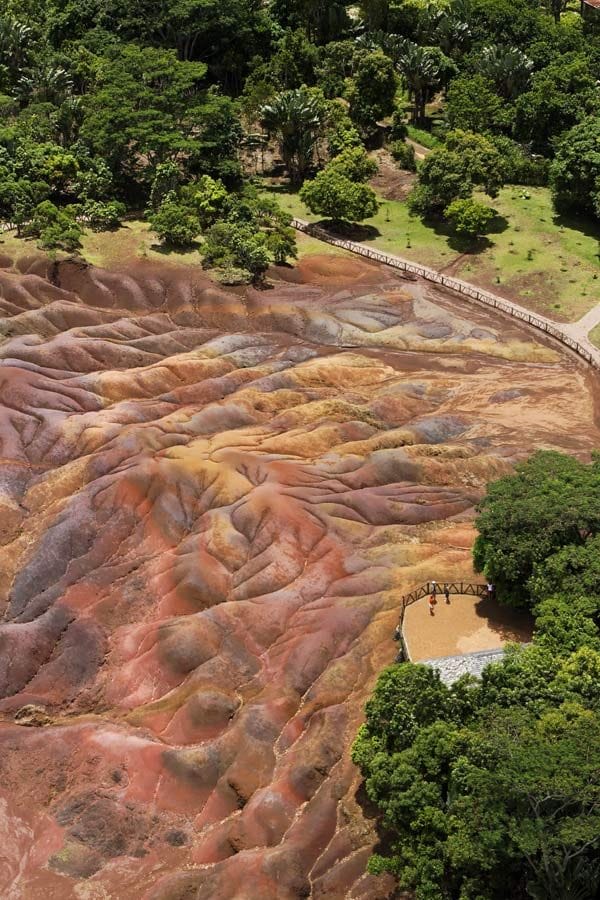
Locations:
{"points": [[582, 346]]}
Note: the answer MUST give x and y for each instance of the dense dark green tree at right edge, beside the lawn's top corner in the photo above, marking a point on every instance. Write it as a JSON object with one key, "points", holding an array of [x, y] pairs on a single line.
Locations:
{"points": [[575, 171]]}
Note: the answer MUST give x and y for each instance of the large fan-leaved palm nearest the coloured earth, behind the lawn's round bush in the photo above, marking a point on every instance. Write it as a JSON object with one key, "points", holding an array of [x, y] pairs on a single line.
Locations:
{"points": [[295, 118]]}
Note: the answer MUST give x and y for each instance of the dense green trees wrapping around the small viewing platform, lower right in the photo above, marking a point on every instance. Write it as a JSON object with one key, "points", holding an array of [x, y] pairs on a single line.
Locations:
{"points": [[491, 789]]}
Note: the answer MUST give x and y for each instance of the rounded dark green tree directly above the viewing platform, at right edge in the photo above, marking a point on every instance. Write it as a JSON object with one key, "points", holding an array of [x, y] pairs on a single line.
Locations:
{"points": [[550, 502]]}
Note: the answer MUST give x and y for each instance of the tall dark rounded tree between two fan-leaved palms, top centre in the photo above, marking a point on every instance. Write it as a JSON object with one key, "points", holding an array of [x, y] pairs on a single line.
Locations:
{"points": [[372, 90]]}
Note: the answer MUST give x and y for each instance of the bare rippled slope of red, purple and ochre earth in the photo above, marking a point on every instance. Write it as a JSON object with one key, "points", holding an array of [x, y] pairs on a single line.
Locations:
{"points": [[210, 503]]}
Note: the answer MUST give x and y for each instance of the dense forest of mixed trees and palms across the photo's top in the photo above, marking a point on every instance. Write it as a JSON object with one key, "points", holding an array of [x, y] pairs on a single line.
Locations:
{"points": [[110, 107]]}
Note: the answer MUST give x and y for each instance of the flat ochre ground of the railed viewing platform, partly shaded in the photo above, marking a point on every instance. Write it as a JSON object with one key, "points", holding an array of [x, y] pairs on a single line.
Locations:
{"points": [[465, 625]]}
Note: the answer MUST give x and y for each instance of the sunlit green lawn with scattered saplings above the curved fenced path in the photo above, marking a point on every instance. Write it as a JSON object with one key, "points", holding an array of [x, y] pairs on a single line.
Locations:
{"points": [[545, 263]]}
